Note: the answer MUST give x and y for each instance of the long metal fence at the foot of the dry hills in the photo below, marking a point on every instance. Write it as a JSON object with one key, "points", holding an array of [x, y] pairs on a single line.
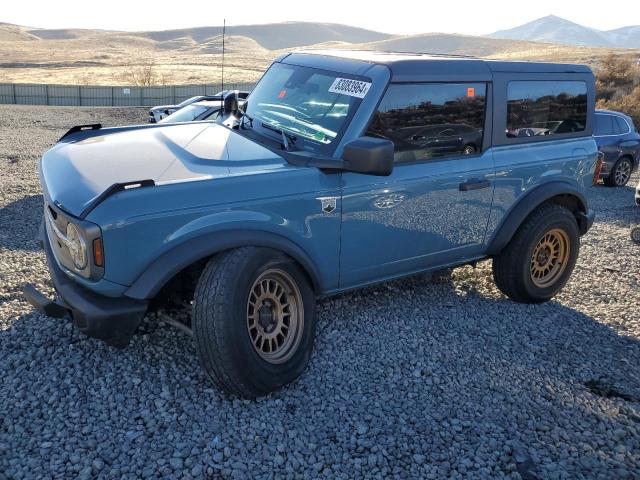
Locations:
{"points": [[101, 96]]}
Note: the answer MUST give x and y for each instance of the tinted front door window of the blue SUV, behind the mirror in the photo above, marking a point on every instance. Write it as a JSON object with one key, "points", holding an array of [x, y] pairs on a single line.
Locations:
{"points": [[427, 121]]}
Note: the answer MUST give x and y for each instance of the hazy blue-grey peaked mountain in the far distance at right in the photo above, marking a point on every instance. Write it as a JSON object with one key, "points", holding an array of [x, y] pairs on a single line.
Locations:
{"points": [[552, 29]]}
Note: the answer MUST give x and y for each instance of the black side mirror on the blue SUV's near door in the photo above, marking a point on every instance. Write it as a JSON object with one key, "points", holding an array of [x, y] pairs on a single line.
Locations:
{"points": [[369, 155]]}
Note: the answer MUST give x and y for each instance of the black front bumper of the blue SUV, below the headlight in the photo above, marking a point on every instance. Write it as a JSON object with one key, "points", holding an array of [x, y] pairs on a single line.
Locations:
{"points": [[113, 320]]}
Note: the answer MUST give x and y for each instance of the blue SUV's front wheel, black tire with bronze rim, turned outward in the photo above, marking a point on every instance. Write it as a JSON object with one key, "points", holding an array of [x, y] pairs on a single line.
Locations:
{"points": [[253, 321]]}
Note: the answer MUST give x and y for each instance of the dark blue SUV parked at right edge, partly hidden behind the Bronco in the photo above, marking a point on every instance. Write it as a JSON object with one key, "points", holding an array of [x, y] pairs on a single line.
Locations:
{"points": [[619, 140]]}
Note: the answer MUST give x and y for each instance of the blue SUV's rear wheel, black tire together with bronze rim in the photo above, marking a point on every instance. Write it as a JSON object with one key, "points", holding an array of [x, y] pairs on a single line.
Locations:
{"points": [[539, 259]]}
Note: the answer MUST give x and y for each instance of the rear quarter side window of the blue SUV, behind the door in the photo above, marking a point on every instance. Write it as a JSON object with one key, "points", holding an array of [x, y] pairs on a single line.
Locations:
{"points": [[537, 108]]}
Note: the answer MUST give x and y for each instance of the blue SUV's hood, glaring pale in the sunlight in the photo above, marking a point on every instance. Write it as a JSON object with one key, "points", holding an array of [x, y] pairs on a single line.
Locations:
{"points": [[77, 171]]}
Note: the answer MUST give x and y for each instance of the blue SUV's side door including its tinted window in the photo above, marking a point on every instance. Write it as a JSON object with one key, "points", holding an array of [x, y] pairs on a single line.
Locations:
{"points": [[434, 208]]}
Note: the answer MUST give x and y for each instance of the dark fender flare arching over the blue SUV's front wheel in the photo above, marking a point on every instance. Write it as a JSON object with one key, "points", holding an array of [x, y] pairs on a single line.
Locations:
{"points": [[171, 262]]}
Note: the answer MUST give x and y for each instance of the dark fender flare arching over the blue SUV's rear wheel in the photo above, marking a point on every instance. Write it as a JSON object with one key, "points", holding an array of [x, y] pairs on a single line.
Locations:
{"points": [[529, 202]]}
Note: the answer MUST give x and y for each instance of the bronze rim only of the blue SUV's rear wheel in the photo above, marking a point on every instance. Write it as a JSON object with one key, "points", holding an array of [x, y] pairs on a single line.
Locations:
{"points": [[550, 258]]}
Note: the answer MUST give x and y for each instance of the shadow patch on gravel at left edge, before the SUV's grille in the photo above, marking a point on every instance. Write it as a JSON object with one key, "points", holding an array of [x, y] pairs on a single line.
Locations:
{"points": [[21, 220]]}
